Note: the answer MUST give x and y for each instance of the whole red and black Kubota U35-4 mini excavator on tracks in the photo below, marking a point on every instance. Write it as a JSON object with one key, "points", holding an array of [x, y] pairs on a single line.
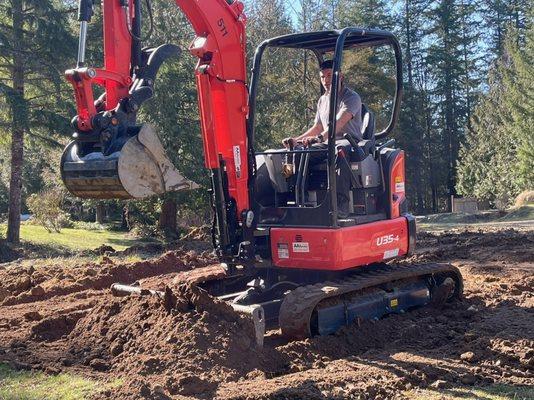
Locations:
{"points": [[289, 261]]}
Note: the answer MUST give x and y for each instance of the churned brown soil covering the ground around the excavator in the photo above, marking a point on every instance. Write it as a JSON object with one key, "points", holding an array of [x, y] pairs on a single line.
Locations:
{"points": [[188, 345]]}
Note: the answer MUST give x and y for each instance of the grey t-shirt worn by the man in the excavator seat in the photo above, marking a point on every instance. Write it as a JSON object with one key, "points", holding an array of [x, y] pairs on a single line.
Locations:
{"points": [[348, 100]]}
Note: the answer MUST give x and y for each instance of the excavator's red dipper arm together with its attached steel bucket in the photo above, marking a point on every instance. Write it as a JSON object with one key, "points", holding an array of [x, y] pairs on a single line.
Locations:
{"points": [[112, 156]]}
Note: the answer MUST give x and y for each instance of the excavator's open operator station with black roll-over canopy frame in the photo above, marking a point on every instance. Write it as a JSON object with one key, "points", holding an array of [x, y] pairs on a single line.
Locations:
{"points": [[292, 188]]}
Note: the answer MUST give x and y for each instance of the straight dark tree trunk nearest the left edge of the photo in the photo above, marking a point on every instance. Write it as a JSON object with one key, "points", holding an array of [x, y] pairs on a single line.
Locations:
{"points": [[17, 128]]}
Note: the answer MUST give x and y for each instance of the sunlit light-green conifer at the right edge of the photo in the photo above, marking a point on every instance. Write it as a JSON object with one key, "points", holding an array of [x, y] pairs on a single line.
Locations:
{"points": [[497, 161]]}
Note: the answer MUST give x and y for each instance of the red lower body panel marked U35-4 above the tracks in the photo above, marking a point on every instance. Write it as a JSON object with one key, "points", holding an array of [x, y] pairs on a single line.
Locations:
{"points": [[339, 249]]}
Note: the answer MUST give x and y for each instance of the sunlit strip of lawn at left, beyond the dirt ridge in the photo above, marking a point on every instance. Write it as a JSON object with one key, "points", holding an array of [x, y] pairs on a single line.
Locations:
{"points": [[77, 239]]}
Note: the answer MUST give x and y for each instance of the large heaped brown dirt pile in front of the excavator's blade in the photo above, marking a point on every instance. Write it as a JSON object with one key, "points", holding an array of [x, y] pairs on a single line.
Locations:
{"points": [[185, 348]]}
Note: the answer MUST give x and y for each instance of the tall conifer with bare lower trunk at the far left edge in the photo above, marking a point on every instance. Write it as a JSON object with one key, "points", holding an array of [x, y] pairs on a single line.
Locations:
{"points": [[33, 40]]}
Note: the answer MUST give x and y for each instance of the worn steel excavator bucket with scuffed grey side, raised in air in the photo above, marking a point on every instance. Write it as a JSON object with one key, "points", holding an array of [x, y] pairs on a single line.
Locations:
{"points": [[139, 169]]}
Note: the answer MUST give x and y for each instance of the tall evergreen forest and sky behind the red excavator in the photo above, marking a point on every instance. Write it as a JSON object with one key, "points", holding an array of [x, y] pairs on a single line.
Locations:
{"points": [[466, 120]]}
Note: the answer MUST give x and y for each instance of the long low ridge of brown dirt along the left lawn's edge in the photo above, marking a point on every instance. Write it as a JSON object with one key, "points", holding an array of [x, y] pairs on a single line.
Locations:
{"points": [[35, 284]]}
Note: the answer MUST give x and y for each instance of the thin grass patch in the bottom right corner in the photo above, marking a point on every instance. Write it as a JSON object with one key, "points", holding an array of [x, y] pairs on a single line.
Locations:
{"points": [[493, 392]]}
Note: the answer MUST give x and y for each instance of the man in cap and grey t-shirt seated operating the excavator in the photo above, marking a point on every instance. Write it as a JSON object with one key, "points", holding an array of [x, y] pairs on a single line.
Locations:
{"points": [[348, 121]]}
